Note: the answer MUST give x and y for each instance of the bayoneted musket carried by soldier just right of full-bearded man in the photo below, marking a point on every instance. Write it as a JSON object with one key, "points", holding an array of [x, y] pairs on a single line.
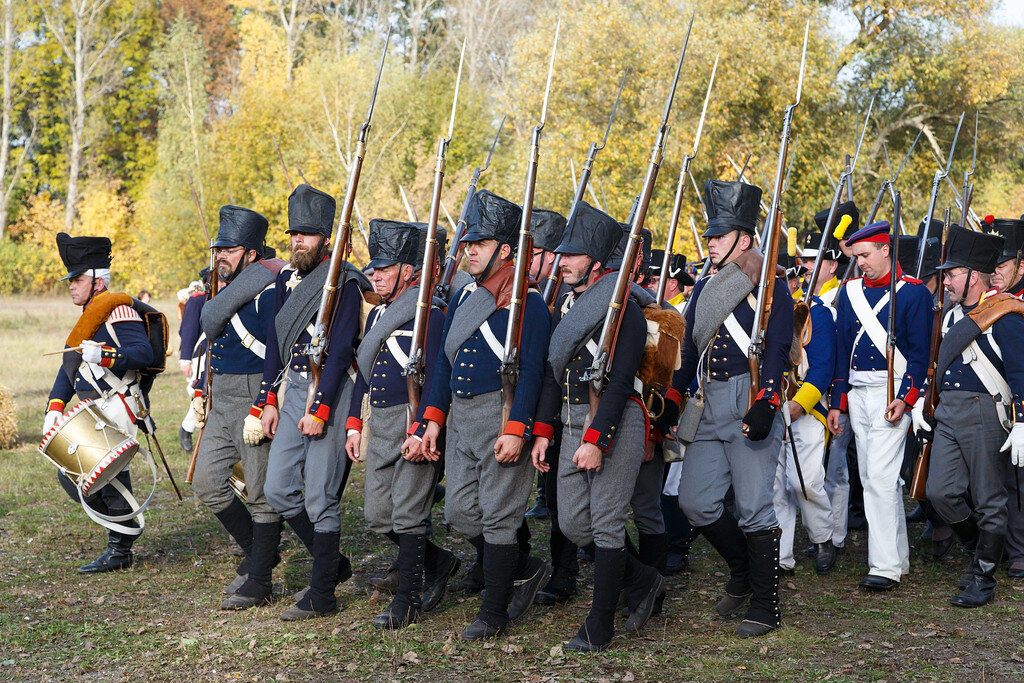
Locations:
{"points": [[414, 370]]}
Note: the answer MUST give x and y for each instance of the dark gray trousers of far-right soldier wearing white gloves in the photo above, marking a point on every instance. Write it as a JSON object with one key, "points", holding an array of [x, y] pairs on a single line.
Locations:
{"points": [[966, 458]]}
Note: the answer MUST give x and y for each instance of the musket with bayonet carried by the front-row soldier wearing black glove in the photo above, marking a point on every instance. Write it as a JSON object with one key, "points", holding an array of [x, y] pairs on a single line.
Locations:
{"points": [[771, 238]]}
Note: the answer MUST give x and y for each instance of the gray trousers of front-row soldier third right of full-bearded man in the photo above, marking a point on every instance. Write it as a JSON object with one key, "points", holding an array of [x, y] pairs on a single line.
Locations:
{"points": [[593, 507]]}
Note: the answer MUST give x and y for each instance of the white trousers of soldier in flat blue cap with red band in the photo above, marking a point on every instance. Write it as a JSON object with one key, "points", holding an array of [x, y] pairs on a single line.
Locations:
{"points": [[880, 455]]}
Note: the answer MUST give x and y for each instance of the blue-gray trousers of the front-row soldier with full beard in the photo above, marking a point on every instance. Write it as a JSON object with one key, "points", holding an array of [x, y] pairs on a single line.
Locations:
{"points": [[305, 473]]}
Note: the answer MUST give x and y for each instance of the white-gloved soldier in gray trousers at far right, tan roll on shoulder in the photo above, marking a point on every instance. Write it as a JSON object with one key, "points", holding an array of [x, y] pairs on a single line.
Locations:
{"points": [[982, 398]]}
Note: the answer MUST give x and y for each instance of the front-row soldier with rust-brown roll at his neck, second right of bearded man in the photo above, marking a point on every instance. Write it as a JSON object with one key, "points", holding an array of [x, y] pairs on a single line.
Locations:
{"points": [[489, 480]]}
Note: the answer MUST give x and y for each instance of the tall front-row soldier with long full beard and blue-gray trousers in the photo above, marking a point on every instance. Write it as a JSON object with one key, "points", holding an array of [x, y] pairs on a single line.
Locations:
{"points": [[308, 468]]}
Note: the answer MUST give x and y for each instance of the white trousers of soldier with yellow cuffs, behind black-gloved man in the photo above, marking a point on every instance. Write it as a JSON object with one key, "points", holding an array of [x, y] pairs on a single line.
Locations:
{"points": [[816, 509]]}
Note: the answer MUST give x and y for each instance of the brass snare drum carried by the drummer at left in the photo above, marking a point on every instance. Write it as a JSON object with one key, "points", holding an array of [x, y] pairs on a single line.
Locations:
{"points": [[88, 448]]}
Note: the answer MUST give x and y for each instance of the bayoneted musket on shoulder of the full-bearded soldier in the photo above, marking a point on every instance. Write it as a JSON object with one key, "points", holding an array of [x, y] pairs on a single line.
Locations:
{"points": [[319, 338]]}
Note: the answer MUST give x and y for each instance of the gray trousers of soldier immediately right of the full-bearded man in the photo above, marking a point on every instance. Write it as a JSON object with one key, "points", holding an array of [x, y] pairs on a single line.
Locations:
{"points": [[399, 494]]}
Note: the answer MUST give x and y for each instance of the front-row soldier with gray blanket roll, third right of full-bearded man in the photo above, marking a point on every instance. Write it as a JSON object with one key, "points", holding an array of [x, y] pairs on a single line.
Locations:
{"points": [[598, 466]]}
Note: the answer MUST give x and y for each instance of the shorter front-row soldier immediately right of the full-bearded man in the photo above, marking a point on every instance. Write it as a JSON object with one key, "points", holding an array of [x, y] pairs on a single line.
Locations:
{"points": [[400, 490]]}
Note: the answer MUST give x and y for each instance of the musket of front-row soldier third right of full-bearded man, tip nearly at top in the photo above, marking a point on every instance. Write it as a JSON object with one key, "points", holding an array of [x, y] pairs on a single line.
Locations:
{"points": [[598, 375]]}
